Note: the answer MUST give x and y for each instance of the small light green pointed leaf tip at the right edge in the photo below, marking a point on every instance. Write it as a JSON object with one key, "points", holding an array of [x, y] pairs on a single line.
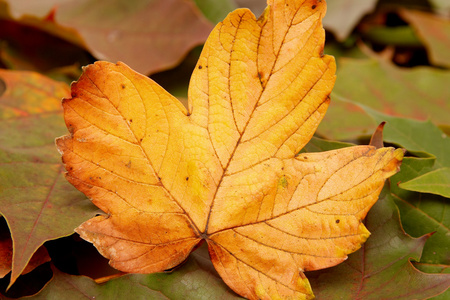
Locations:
{"points": [[435, 182]]}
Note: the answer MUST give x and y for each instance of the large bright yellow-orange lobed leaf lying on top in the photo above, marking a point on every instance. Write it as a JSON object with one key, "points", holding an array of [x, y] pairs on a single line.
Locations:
{"points": [[225, 170]]}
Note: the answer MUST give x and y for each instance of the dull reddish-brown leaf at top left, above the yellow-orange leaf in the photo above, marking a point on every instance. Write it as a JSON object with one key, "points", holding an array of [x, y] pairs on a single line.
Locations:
{"points": [[149, 35]]}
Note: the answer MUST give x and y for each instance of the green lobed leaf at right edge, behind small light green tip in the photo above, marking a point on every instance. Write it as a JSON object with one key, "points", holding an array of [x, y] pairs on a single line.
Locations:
{"points": [[421, 213]]}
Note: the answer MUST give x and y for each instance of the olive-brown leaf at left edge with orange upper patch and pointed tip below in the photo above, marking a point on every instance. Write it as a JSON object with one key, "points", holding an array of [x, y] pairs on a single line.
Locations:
{"points": [[34, 196]]}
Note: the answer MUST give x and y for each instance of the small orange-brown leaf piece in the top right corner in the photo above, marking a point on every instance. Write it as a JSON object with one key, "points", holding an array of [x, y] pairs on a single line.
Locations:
{"points": [[434, 31]]}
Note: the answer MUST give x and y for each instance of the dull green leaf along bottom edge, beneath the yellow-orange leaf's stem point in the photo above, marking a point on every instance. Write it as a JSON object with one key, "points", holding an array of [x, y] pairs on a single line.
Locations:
{"points": [[196, 279]]}
